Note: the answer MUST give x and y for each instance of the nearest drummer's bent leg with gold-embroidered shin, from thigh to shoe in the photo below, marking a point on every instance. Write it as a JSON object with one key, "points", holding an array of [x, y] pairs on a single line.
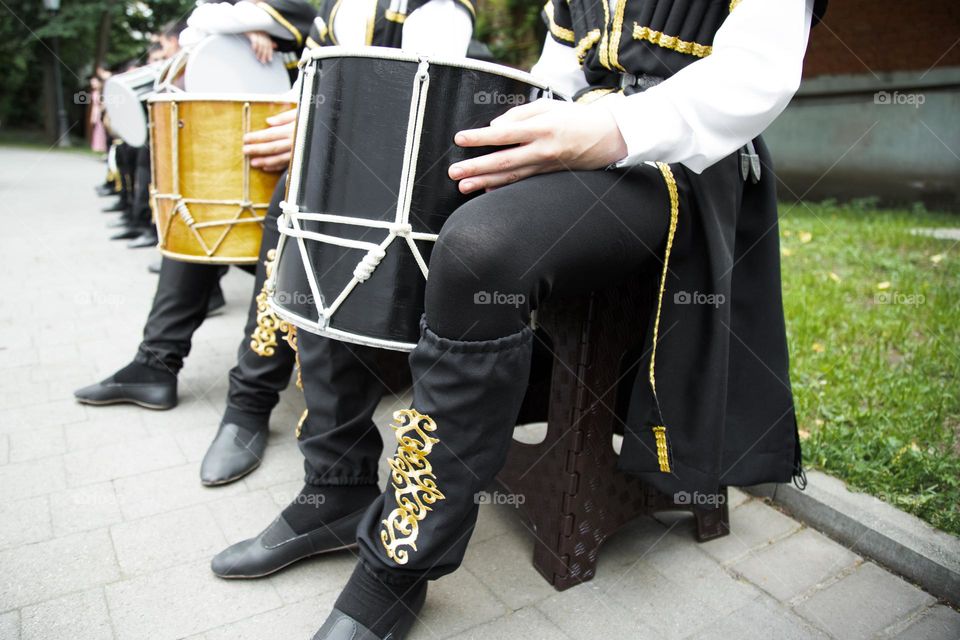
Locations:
{"points": [[497, 258]]}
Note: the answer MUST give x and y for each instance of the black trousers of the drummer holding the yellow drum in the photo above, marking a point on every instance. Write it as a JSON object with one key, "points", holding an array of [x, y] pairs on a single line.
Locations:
{"points": [[179, 308]]}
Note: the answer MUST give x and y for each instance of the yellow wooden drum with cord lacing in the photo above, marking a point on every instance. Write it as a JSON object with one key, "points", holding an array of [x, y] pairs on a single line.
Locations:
{"points": [[208, 203]]}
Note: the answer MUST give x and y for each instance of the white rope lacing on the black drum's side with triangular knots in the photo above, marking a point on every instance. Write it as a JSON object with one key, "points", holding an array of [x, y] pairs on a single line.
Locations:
{"points": [[400, 227]]}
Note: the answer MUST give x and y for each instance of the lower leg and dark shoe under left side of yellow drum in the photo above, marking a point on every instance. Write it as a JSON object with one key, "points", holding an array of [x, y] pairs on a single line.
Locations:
{"points": [[179, 307]]}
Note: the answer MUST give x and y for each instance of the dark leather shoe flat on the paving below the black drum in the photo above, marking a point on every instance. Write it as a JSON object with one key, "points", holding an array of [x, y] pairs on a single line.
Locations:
{"points": [[278, 546]]}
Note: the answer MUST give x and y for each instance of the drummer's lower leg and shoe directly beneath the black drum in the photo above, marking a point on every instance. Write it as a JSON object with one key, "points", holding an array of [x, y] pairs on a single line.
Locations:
{"points": [[341, 448]]}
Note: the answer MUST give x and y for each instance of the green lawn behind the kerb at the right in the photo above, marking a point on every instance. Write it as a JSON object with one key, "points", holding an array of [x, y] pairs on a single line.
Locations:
{"points": [[873, 316]]}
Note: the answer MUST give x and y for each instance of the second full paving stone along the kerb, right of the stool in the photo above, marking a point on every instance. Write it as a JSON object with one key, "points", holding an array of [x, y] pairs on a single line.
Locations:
{"points": [[791, 566]]}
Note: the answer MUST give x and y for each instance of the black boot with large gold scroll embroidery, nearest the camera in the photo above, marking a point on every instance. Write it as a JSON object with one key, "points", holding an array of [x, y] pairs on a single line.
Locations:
{"points": [[450, 445]]}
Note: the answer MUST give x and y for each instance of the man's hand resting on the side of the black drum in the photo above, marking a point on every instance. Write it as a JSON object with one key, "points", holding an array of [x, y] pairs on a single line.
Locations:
{"points": [[549, 135]]}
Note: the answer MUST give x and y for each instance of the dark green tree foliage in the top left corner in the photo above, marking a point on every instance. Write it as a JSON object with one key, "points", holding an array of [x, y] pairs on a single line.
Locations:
{"points": [[26, 30]]}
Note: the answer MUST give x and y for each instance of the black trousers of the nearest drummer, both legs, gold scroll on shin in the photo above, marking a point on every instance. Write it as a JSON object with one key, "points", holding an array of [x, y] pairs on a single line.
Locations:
{"points": [[497, 258]]}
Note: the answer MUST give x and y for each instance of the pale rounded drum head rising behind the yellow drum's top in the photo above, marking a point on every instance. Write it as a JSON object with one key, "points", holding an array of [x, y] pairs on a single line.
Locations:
{"points": [[226, 64]]}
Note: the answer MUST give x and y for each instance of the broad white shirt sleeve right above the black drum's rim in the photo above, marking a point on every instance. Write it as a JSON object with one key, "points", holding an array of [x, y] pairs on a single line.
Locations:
{"points": [[438, 28]]}
